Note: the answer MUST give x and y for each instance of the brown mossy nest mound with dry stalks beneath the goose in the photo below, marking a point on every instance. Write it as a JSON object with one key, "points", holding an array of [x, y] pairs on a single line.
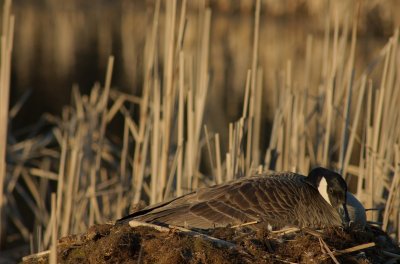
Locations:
{"points": [[147, 243]]}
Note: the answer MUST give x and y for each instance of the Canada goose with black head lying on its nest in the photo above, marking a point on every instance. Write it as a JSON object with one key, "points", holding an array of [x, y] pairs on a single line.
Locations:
{"points": [[278, 199]]}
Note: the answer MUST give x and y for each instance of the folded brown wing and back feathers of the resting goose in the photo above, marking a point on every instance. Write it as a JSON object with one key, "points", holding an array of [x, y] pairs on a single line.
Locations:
{"points": [[268, 198]]}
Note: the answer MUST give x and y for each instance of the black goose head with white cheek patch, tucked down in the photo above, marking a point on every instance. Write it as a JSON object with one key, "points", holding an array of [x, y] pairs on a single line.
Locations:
{"points": [[333, 188]]}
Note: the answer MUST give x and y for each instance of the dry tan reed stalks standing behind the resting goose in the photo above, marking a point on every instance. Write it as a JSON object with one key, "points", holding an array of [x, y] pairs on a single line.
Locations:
{"points": [[336, 117]]}
